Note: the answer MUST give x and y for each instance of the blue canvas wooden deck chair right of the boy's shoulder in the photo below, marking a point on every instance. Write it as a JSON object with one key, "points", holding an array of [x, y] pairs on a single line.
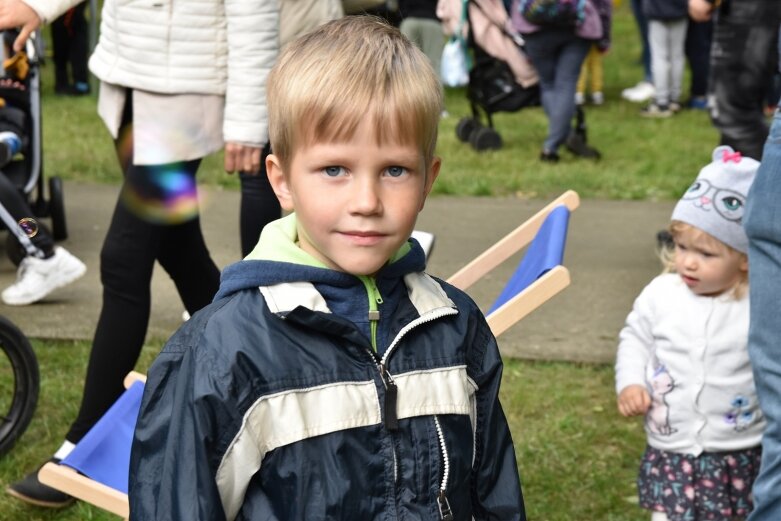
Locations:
{"points": [[540, 274]]}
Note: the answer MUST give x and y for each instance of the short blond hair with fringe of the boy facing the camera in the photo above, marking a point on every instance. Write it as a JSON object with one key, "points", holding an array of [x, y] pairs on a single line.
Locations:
{"points": [[327, 81]]}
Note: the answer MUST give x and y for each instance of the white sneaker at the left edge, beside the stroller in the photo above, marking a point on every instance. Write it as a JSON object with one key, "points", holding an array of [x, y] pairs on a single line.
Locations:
{"points": [[36, 278]]}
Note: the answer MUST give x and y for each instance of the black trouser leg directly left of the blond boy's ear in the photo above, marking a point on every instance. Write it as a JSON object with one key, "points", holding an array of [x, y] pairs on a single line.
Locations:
{"points": [[259, 206]]}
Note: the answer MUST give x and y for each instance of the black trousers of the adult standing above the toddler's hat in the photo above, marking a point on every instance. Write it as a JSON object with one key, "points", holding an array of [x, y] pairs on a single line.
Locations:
{"points": [[744, 57]]}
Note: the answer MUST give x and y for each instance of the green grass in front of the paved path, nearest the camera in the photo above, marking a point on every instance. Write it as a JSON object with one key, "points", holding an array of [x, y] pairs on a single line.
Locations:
{"points": [[577, 458]]}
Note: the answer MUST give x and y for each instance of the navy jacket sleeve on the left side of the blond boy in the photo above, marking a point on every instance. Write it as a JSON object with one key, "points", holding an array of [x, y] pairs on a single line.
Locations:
{"points": [[173, 461]]}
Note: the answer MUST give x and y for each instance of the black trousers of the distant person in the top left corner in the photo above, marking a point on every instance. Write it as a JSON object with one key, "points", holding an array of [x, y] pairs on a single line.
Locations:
{"points": [[70, 40]]}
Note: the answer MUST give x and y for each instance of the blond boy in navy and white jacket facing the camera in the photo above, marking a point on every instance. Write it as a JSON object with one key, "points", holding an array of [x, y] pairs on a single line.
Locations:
{"points": [[332, 378]]}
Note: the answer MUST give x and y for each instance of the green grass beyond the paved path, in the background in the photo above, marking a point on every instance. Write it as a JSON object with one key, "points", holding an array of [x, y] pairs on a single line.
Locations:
{"points": [[643, 159]]}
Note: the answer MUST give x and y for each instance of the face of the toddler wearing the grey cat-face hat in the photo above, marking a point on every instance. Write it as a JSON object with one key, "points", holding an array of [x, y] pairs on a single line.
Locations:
{"points": [[707, 266]]}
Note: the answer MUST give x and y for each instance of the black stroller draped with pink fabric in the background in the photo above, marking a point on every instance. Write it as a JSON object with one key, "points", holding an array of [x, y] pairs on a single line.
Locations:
{"points": [[501, 79]]}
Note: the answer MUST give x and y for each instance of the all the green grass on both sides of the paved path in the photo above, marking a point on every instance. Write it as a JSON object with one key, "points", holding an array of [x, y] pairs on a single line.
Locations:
{"points": [[577, 457]]}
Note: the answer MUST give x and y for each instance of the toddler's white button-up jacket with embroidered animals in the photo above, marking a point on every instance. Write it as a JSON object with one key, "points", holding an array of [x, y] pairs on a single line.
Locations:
{"points": [[691, 353]]}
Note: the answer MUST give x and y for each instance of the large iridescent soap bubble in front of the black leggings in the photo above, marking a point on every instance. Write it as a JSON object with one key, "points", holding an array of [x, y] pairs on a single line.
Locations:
{"points": [[162, 195]]}
